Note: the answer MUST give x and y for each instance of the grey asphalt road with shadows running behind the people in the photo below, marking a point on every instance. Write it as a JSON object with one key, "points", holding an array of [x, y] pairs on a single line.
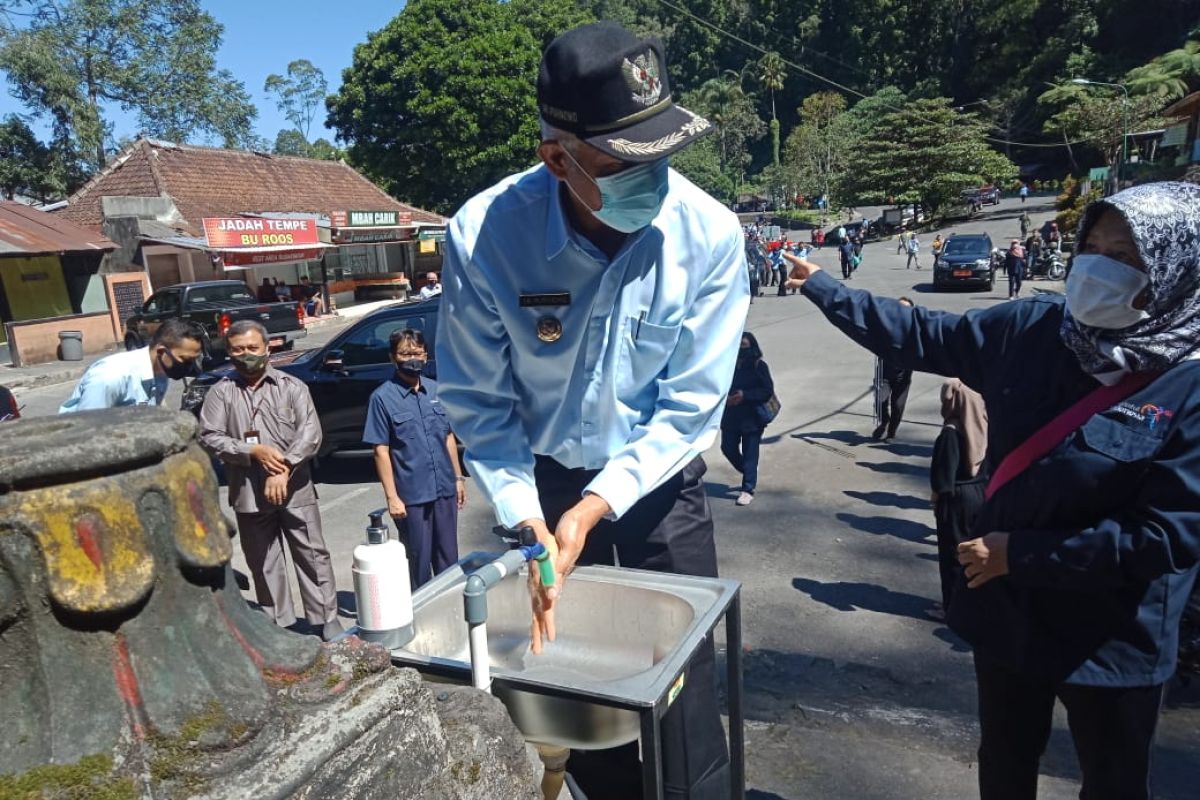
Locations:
{"points": [[853, 690]]}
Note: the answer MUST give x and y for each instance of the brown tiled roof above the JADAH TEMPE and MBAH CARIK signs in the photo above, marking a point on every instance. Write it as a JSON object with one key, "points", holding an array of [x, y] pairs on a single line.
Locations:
{"points": [[212, 183]]}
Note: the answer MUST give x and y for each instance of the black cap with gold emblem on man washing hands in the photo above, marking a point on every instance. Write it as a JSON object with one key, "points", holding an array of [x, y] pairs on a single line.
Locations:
{"points": [[611, 89]]}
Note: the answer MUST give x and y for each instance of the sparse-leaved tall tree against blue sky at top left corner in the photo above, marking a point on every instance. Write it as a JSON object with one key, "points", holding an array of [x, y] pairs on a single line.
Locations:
{"points": [[68, 59]]}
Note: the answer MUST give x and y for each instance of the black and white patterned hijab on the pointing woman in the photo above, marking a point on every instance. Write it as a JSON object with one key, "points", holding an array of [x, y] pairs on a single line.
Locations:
{"points": [[1165, 220]]}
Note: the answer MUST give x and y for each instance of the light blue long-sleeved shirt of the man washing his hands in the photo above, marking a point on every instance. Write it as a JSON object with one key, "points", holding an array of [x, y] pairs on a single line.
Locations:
{"points": [[637, 384]]}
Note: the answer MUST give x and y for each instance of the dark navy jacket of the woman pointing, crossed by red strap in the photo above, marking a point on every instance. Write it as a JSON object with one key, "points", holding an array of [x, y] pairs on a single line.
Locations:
{"points": [[1105, 530]]}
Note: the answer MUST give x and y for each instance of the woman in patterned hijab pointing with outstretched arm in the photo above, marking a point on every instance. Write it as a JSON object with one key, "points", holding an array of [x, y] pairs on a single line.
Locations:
{"points": [[1088, 544]]}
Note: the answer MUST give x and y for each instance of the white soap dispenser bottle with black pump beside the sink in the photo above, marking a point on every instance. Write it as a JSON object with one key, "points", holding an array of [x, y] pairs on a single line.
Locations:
{"points": [[382, 591]]}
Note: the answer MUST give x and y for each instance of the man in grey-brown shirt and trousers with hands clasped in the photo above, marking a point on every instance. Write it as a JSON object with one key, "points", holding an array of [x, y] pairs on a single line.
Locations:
{"points": [[262, 425]]}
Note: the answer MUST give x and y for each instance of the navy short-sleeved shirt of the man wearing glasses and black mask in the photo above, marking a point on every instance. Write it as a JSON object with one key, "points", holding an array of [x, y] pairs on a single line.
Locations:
{"points": [[415, 428]]}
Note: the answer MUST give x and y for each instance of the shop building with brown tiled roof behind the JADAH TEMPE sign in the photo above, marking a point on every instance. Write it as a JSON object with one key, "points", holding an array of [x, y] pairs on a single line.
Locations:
{"points": [[154, 199]]}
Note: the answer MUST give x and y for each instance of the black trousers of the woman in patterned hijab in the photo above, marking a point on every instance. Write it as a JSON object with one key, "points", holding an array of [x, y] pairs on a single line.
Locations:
{"points": [[1113, 730]]}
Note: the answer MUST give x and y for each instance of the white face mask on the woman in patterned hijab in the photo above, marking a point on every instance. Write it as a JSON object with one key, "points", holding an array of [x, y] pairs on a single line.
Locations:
{"points": [[1101, 292]]}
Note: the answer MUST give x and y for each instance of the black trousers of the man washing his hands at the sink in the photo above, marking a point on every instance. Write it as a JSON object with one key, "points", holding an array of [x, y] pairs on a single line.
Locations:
{"points": [[669, 531]]}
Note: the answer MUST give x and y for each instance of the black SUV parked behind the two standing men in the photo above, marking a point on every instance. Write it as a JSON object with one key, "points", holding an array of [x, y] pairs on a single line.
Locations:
{"points": [[343, 375]]}
